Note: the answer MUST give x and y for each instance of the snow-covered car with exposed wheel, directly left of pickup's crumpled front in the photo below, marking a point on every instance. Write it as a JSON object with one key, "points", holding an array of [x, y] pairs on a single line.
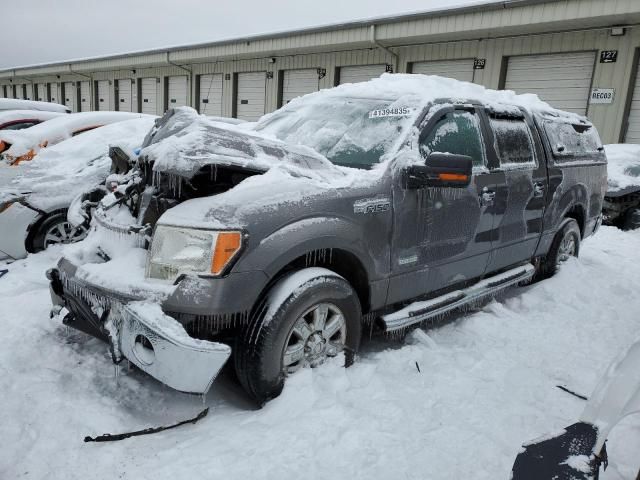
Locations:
{"points": [[33, 205]]}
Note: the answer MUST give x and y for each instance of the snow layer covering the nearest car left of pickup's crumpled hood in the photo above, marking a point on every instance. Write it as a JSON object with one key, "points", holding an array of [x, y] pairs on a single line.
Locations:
{"points": [[59, 173]]}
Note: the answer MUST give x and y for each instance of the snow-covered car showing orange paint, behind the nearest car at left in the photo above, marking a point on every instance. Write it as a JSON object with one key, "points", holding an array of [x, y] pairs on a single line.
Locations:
{"points": [[23, 145]]}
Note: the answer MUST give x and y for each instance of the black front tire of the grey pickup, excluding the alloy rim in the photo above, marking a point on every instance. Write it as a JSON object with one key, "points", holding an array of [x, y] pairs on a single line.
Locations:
{"points": [[260, 347]]}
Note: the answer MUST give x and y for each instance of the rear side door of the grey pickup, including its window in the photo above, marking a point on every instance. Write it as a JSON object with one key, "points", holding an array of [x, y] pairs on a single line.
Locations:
{"points": [[521, 177]]}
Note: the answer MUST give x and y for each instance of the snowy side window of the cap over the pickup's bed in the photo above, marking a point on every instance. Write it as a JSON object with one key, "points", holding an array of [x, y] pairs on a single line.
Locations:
{"points": [[572, 140]]}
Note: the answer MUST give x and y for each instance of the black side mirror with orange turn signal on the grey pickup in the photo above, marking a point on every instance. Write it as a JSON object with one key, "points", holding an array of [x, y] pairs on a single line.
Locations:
{"points": [[440, 170]]}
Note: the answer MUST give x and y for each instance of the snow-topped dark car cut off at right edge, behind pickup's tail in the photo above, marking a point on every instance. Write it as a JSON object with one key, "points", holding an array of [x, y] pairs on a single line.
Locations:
{"points": [[622, 202]]}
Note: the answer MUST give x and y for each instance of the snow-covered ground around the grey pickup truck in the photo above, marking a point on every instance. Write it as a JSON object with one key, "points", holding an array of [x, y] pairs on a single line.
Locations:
{"points": [[487, 383]]}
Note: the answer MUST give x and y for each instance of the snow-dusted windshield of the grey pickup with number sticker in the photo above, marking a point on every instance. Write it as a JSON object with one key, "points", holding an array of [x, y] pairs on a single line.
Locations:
{"points": [[351, 132]]}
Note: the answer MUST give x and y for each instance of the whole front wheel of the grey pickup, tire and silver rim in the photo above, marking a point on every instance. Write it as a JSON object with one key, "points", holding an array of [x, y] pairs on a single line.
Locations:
{"points": [[309, 316]]}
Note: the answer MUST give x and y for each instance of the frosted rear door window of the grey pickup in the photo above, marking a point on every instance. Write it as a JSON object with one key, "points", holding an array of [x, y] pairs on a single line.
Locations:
{"points": [[513, 143]]}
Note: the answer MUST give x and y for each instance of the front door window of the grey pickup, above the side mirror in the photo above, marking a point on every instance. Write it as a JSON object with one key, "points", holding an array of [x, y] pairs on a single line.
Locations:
{"points": [[457, 133]]}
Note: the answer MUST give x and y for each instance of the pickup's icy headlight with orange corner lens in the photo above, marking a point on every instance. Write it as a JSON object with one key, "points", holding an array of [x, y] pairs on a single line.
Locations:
{"points": [[176, 251]]}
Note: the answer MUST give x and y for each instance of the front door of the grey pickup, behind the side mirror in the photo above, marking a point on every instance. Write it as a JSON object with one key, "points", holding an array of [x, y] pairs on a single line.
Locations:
{"points": [[443, 236]]}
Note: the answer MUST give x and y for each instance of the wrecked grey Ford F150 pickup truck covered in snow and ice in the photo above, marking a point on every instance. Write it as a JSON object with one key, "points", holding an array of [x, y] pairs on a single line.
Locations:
{"points": [[377, 205]]}
